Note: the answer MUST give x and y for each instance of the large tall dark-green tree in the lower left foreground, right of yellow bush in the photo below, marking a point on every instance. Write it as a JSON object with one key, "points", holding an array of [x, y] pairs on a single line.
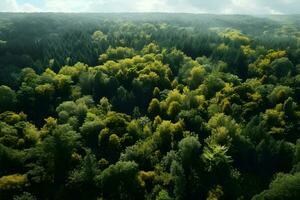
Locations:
{"points": [[54, 158]]}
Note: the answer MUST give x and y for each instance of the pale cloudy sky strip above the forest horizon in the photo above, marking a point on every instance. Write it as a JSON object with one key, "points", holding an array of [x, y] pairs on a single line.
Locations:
{"points": [[187, 6]]}
